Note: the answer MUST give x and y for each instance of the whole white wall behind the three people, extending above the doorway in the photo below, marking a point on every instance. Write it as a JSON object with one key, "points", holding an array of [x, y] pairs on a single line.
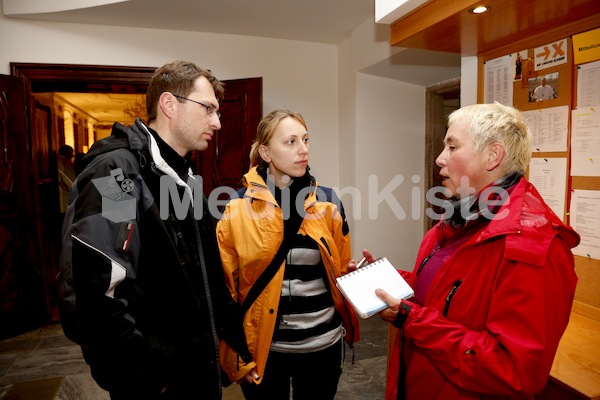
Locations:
{"points": [[360, 125]]}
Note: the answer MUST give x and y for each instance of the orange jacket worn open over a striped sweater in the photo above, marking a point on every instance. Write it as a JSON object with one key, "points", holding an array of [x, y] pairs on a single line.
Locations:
{"points": [[249, 235]]}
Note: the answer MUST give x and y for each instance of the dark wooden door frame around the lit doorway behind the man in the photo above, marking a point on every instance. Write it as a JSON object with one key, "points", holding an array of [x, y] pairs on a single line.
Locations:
{"points": [[37, 78]]}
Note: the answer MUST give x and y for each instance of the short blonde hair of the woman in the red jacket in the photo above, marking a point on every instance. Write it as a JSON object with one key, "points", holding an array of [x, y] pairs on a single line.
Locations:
{"points": [[490, 123]]}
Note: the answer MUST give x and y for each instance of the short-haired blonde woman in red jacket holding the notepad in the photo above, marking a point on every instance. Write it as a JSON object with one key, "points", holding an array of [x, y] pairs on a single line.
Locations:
{"points": [[494, 280]]}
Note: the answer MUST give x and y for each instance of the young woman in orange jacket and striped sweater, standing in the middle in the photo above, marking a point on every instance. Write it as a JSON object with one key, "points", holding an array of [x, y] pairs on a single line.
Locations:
{"points": [[297, 325]]}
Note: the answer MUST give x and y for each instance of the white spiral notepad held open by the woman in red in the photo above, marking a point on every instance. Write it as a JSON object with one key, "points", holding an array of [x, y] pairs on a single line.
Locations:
{"points": [[358, 287]]}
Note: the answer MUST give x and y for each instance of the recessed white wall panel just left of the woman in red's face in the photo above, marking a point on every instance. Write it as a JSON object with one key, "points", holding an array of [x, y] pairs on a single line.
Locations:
{"points": [[389, 167]]}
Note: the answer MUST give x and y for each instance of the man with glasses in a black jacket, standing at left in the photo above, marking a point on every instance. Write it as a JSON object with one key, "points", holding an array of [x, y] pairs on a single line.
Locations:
{"points": [[141, 283]]}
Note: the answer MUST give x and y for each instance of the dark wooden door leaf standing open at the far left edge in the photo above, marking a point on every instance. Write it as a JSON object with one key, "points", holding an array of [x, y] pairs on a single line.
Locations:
{"points": [[21, 287]]}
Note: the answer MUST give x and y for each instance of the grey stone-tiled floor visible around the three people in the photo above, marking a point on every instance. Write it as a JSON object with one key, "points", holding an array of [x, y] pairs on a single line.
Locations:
{"points": [[45, 365]]}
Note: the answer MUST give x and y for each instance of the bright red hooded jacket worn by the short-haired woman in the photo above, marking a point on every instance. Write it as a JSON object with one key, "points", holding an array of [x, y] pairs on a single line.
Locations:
{"points": [[516, 283]]}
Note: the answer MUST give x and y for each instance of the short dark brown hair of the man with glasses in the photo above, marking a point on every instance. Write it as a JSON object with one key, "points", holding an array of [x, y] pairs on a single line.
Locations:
{"points": [[178, 78]]}
